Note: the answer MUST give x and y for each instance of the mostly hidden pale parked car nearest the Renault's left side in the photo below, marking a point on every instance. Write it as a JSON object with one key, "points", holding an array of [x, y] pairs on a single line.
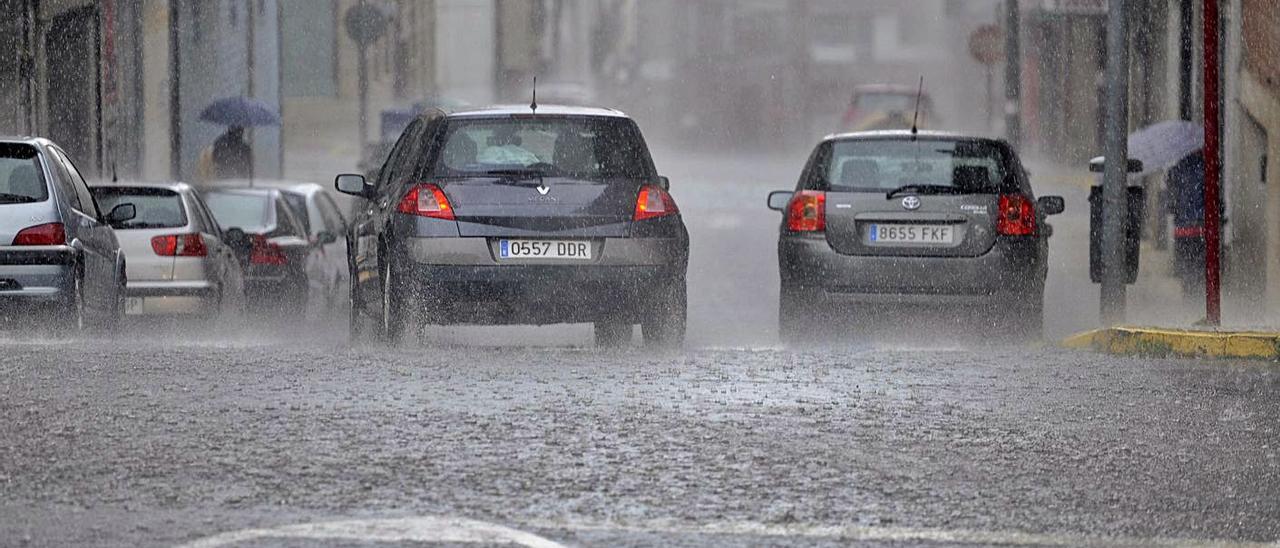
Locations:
{"points": [[326, 227]]}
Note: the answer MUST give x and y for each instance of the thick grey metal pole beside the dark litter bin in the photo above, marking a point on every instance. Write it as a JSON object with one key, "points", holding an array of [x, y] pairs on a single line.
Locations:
{"points": [[1116, 200]]}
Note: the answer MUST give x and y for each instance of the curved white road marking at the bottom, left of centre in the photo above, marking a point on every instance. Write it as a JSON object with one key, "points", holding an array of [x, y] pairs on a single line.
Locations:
{"points": [[406, 529]]}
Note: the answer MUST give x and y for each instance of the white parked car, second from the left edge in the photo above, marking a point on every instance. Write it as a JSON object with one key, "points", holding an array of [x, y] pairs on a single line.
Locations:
{"points": [[179, 257]]}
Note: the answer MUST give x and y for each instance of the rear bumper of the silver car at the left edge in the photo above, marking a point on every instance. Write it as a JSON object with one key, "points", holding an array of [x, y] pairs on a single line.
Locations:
{"points": [[36, 273]]}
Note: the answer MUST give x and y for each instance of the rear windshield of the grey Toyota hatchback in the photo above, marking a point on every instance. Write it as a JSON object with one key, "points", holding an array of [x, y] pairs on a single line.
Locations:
{"points": [[883, 166]]}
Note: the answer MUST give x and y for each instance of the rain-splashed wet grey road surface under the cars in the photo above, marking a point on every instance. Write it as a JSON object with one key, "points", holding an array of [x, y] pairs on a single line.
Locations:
{"points": [[531, 437]]}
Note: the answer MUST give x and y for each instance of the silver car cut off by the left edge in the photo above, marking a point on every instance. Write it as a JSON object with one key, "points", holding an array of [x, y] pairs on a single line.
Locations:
{"points": [[58, 254]]}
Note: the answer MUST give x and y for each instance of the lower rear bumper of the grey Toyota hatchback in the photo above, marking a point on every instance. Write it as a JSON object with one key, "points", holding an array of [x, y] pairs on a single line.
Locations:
{"points": [[1013, 267]]}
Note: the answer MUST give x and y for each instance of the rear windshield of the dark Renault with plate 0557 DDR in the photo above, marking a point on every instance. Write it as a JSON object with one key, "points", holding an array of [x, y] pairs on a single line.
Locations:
{"points": [[584, 148]]}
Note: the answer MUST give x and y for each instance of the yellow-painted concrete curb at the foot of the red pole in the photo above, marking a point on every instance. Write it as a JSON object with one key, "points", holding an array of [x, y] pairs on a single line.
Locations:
{"points": [[1156, 342]]}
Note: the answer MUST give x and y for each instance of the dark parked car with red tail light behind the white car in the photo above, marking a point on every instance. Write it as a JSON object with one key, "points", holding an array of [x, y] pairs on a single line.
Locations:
{"points": [[275, 252]]}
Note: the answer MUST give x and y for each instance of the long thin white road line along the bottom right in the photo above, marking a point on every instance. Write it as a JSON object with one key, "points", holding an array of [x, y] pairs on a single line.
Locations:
{"points": [[854, 533]]}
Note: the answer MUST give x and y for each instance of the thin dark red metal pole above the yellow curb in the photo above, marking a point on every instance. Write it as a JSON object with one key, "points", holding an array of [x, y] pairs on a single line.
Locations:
{"points": [[1213, 167]]}
